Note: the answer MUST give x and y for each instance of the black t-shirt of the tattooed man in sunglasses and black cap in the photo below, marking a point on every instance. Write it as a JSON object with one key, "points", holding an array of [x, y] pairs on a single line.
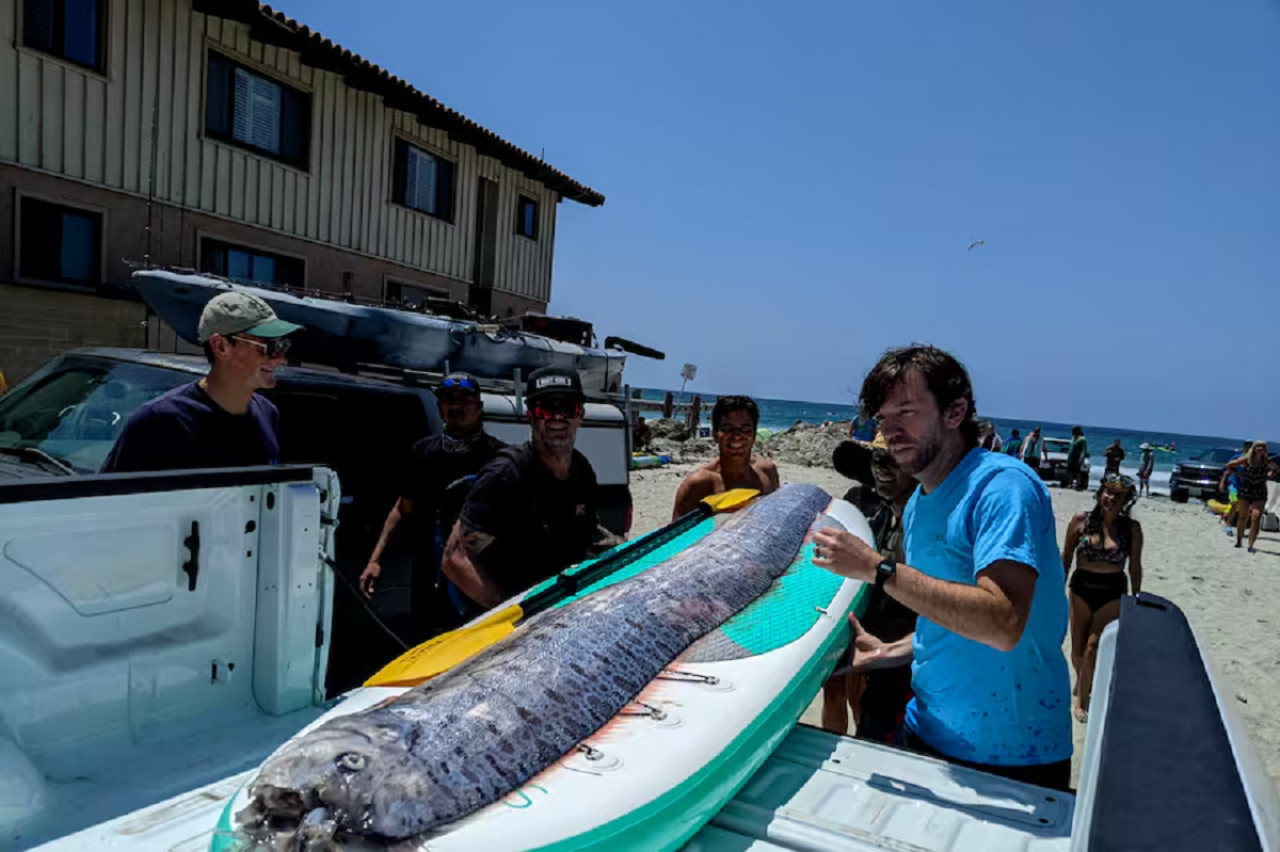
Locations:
{"points": [[541, 525]]}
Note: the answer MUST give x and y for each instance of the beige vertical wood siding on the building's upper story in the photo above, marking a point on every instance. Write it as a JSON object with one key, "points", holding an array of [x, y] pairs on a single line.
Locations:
{"points": [[149, 103]]}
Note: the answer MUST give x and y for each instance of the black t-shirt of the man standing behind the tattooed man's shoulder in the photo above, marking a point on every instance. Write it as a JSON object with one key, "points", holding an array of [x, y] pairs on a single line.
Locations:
{"points": [[437, 464]]}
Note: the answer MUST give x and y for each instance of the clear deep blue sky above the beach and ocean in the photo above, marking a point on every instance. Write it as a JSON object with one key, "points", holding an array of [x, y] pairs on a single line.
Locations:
{"points": [[793, 189]]}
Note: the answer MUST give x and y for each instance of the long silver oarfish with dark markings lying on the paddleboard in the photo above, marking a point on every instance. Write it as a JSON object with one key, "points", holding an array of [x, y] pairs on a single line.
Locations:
{"points": [[467, 739]]}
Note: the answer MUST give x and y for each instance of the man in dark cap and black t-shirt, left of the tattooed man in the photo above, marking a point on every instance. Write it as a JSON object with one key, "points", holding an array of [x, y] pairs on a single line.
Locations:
{"points": [[432, 497]]}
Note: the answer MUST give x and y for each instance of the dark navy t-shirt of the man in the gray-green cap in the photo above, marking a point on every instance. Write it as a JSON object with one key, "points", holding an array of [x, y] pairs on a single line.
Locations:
{"points": [[185, 429]]}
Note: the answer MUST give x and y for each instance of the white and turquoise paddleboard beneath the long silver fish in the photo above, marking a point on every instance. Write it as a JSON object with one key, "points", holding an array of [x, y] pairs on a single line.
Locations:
{"points": [[669, 762]]}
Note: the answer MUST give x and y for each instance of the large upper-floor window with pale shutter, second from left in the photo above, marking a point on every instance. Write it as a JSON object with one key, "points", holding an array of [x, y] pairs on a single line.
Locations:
{"points": [[259, 113]]}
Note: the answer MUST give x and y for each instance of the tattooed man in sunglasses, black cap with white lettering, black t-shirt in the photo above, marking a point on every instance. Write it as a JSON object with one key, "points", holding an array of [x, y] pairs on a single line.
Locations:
{"points": [[532, 511]]}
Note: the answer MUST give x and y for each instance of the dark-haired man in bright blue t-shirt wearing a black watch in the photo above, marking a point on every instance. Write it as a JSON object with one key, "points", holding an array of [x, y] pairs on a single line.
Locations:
{"points": [[984, 572]]}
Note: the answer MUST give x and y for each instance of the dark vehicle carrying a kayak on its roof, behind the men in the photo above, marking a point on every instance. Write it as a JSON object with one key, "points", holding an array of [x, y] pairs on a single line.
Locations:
{"points": [[65, 419]]}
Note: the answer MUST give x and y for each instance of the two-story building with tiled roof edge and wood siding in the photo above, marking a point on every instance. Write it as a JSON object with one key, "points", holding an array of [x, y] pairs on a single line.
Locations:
{"points": [[222, 136]]}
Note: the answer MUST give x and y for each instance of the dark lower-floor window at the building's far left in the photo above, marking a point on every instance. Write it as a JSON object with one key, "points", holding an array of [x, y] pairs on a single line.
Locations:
{"points": [[60, 244]]}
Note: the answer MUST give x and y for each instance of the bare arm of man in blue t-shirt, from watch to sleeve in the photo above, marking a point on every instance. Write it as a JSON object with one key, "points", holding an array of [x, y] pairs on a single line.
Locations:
{"points": [[994, 612]]}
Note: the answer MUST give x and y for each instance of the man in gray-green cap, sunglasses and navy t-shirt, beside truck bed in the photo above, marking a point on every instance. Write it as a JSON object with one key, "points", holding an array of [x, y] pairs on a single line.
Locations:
{"points": [[221, 420]]}
